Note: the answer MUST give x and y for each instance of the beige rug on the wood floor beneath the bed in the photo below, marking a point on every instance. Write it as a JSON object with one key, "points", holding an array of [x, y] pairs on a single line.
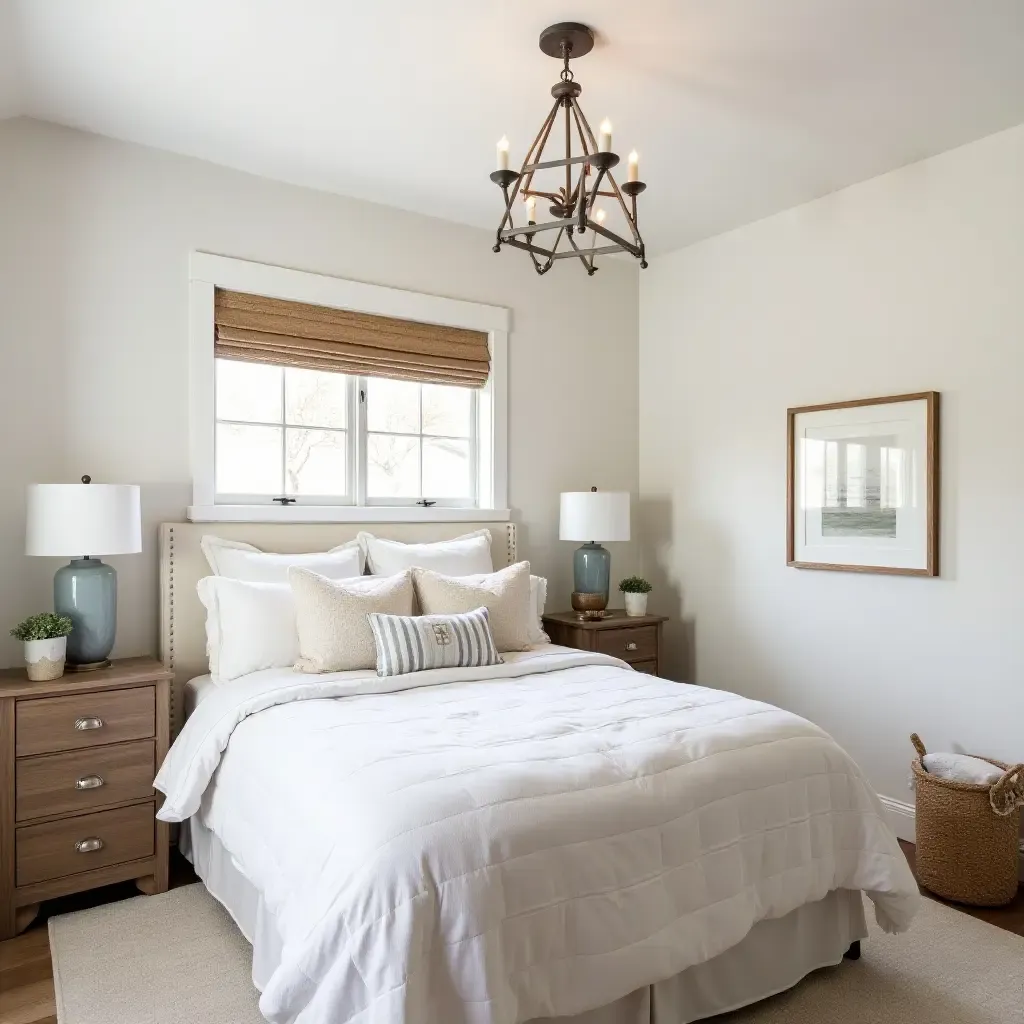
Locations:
{"points": [[179, 959]]}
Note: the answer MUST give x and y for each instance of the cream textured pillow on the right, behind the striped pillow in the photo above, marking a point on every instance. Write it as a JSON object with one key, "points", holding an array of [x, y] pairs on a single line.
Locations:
{"points": [[505, 594]]}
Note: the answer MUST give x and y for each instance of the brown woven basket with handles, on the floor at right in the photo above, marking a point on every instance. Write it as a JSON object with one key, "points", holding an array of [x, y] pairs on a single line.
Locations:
{"points": [[968, 835]]}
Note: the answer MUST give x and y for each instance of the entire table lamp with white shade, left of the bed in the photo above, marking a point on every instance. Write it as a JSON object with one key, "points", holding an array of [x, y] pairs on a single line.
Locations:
{"points": [[83, 521]]}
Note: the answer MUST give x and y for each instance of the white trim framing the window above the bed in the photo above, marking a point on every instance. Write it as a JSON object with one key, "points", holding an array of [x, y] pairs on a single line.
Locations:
{"points": [[207, 272]]}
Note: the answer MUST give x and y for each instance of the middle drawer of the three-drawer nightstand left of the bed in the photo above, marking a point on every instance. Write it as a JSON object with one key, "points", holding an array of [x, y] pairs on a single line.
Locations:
{"points": [[81, 781]]}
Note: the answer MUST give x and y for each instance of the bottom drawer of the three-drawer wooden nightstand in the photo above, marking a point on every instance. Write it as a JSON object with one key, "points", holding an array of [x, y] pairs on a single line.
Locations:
{"points": [[83, 843]]}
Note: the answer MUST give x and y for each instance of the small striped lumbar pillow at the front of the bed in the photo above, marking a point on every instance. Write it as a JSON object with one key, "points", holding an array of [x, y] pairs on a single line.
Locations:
{"points": [[414, 644]]}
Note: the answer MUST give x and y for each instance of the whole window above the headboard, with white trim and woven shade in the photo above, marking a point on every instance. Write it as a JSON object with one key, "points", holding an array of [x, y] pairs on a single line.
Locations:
{"points": [[290, 421]]}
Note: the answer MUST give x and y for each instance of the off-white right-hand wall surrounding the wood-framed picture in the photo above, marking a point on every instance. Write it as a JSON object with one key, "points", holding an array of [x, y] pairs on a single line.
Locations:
{"points": [[913, 281]]}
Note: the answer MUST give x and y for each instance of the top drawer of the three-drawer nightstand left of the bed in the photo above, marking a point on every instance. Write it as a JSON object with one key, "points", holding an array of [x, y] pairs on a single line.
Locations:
{"points": [[49, 724]]}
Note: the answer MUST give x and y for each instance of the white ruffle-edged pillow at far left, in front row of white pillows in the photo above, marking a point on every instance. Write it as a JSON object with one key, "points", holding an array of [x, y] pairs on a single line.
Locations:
{"points": [[249, 626]]}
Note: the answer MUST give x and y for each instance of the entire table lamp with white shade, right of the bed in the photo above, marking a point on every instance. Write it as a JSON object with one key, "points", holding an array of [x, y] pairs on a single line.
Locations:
{"points": [[593, 517]]}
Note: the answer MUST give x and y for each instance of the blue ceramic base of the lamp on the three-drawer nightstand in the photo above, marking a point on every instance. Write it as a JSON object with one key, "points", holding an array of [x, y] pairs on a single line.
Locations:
{"points": [[87, 591]]}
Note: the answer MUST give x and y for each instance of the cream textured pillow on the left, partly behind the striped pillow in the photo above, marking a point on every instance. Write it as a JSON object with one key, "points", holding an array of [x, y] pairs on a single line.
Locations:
{"points": [[331, 617]]}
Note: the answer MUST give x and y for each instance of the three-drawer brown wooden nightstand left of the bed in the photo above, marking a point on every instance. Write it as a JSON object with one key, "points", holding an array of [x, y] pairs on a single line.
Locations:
{"points": [[78, 756]]}
